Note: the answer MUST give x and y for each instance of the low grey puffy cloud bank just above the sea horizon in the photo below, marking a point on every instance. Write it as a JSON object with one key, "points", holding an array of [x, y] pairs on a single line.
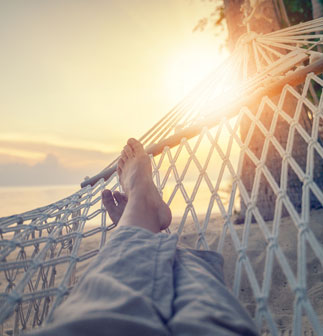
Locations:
{"points": [[47, 172]]}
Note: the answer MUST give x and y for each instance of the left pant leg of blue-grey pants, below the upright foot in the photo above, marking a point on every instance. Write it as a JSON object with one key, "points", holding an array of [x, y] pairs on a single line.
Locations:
{"points": [[127, 289]]}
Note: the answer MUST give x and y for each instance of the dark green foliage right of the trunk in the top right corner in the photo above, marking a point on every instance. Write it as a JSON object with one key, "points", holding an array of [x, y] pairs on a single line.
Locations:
{"points": [[298, 10]]}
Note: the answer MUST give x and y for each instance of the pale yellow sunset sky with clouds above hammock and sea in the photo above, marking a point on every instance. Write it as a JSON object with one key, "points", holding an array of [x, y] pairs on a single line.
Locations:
{"points": [[79, 77]]}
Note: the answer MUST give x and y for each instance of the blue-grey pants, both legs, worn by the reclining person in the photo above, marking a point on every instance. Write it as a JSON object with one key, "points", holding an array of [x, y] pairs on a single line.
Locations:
{"points": [[141, 283]]}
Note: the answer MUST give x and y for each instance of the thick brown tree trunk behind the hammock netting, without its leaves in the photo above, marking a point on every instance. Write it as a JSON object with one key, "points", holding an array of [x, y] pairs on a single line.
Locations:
{"points": [[265, 20]]}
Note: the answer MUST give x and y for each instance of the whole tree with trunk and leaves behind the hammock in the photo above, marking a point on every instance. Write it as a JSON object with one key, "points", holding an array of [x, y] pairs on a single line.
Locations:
{"points": [[267, 18]]}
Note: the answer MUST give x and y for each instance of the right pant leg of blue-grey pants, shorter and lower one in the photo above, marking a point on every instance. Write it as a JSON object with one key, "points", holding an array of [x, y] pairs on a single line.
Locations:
{"points": [[203, 305]]}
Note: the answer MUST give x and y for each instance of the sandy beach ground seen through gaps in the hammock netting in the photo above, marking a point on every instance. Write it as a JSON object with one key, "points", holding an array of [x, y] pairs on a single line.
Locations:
{"points": [[281, 298]]}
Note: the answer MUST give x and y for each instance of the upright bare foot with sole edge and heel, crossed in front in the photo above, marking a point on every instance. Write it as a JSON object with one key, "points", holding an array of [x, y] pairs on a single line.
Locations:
{"points": [[145, 206]]}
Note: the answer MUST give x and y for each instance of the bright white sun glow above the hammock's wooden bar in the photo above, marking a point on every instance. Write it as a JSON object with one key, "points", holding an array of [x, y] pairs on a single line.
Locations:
{"points": [[188, 71]]}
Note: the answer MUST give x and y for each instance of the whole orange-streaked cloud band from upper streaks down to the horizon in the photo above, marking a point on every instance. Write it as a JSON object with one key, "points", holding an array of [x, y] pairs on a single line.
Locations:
{"points": [[41, 163]]}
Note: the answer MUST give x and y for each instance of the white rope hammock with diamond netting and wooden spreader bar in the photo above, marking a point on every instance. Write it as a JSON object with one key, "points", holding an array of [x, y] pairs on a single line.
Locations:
{"points": [[198, 153]]}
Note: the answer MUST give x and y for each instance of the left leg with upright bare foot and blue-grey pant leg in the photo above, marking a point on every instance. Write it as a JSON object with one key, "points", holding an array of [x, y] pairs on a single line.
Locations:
{"points": [[128, 288]]}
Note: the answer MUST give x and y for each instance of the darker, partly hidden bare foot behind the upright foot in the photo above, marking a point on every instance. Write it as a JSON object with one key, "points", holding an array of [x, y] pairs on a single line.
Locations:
{"points": [[114, 203]]}
